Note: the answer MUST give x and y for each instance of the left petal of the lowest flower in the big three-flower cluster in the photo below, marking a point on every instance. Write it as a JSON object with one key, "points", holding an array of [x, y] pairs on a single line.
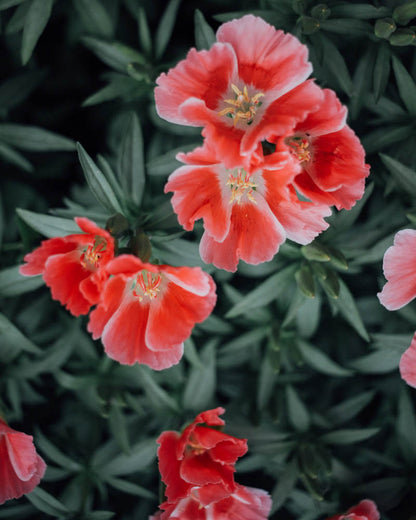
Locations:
{"points": [[197, 194]]}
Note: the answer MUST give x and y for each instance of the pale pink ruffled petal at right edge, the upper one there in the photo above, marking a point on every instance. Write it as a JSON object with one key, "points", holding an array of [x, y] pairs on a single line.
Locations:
{"points": [[400, 270]]}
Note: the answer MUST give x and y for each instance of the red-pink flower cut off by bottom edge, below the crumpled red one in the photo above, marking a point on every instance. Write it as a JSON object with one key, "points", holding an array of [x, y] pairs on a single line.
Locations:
{"points": [[243, 504]]}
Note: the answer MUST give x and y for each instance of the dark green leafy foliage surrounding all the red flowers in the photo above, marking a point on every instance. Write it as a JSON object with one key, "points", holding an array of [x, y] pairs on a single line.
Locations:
{"points": [[298, 350]]}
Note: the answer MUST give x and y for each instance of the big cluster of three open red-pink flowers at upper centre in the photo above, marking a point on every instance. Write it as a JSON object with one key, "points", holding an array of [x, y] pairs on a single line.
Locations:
{"points": [[277, 152]]}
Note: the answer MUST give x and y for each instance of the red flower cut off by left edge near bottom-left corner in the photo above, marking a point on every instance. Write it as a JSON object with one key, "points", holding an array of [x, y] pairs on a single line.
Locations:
{"points": [[21, 468]]}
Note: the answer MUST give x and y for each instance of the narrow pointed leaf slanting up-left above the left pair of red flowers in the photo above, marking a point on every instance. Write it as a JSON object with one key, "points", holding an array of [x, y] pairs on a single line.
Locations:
{"points": [[97, 182]]}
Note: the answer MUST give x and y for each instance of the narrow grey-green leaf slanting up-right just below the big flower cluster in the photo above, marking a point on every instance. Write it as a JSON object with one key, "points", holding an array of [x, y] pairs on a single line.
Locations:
{"points": [[266, 292]]}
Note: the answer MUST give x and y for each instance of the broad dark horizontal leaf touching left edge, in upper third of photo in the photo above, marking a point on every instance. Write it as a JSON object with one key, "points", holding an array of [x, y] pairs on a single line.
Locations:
{"points": [[34, 139]]}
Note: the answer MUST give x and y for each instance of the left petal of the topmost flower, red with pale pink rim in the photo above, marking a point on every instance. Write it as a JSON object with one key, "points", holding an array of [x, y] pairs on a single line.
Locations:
{"points": [[202, 77]]}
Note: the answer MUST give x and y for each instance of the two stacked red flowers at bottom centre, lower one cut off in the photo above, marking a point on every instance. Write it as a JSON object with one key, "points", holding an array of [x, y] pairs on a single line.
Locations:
{"points": [[198, 468]]}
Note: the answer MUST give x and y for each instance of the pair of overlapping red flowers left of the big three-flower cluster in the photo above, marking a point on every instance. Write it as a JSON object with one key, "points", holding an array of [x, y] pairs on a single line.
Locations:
{"points": [[143, 313]]}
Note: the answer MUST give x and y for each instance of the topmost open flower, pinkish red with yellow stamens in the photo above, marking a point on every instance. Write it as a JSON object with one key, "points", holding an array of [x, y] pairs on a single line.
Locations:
{"points": [[248, 85]]}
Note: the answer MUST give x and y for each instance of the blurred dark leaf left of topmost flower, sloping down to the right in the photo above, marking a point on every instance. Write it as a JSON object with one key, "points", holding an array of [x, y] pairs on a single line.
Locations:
{"points": [[114, 54]]}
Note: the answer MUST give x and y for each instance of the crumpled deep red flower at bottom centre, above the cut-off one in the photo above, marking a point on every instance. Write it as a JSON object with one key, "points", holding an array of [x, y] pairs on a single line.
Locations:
{"points": [[203, 457]]}
